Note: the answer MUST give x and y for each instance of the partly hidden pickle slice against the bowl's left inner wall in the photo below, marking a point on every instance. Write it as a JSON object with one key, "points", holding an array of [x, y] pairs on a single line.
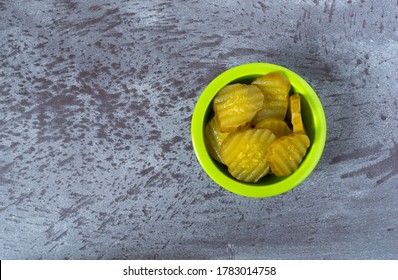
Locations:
{"points": [[214, 138]]}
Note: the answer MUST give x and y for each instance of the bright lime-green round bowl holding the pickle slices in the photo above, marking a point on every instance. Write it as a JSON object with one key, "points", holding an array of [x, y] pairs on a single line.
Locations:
{"points": [[270, 185]]}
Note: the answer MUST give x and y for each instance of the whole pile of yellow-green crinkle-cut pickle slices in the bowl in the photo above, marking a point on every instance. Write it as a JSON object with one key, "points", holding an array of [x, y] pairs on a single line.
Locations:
{"points": [[257, 128]]}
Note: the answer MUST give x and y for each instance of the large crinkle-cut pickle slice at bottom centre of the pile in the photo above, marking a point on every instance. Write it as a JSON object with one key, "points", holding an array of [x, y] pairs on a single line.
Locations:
{"points": [[244, 152]]}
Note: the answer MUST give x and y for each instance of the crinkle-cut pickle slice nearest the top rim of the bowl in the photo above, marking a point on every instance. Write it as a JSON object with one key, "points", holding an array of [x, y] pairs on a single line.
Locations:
{"points": [[275, 87]]}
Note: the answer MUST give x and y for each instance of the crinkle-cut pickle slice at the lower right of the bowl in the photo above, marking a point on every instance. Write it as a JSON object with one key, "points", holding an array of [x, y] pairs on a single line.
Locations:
{"points": [[286, 153]]}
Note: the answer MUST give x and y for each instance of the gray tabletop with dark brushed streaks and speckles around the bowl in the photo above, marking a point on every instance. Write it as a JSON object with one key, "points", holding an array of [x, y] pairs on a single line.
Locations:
{"points": [[95, 109]]}
